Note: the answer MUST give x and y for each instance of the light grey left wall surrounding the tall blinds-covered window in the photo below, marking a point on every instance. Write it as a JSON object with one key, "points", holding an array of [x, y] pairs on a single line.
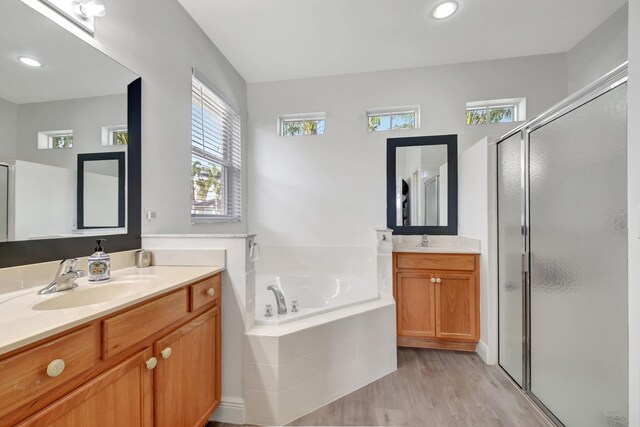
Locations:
{"points": [[159, 41]]}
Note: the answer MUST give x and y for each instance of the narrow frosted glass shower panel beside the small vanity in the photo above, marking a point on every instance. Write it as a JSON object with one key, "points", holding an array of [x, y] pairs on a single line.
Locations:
{"points": [[511, 244]]}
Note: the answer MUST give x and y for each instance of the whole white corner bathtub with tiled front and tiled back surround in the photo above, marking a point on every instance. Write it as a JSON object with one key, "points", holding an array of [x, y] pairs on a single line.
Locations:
{"points": [[343, 337]]}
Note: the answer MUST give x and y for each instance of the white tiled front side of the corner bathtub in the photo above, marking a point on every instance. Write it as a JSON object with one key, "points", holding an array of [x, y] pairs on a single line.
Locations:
{"points": [[296, 367]]}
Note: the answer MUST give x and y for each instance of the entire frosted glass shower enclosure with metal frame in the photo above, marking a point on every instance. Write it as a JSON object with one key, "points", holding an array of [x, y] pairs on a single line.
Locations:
{"points": [[562, 256]]}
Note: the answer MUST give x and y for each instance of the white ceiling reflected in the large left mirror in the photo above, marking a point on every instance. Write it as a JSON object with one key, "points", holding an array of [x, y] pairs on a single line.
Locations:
{"points": [[72, 68]]}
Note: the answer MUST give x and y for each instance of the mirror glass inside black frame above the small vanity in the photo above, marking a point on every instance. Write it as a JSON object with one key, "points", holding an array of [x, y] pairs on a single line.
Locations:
{"points": [[421, 185]]}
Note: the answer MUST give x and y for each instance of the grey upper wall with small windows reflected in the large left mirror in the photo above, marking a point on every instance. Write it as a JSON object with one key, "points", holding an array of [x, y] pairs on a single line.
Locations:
{"points": [[85, 116]]}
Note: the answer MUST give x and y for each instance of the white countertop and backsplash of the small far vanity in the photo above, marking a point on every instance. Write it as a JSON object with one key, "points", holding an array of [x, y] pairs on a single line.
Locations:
{"points": [[437, 244]]}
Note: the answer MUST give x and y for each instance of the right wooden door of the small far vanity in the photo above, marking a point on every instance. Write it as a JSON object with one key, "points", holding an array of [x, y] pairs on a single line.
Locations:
{"points": [[456, 306]]}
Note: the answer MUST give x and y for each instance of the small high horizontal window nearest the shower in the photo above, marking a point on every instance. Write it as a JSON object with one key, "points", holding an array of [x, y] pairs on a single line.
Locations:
{"points": [[496, 111]]}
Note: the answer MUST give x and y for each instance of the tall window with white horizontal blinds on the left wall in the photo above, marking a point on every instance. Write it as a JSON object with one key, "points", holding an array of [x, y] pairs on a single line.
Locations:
{"points": [[215, 157]]}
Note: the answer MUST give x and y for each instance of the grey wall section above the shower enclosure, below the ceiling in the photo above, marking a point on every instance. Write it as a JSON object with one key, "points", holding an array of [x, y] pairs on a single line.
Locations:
{"points": [[599, 52]]}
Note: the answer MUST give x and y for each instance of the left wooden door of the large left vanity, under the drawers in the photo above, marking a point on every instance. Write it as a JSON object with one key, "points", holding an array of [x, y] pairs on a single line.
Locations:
{"points": [[121, 396]]}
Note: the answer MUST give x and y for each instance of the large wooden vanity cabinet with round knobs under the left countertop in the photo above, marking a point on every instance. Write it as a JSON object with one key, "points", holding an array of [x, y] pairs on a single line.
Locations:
{"points": [[163, 370]]}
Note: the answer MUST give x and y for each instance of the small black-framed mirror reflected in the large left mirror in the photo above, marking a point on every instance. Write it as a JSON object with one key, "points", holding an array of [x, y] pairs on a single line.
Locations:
{"points": [[101, 190]]}
